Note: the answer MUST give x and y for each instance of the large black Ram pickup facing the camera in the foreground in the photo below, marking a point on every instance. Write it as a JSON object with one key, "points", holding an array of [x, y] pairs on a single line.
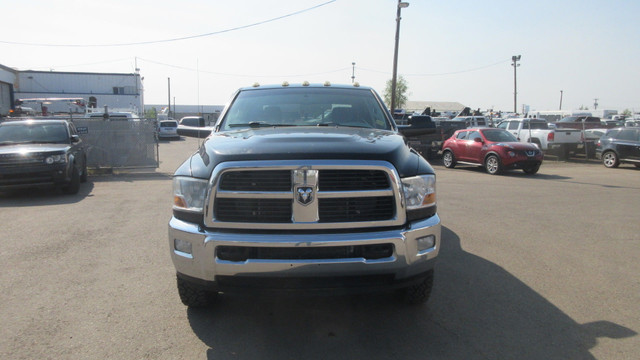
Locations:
{"points": [[305, 188]]}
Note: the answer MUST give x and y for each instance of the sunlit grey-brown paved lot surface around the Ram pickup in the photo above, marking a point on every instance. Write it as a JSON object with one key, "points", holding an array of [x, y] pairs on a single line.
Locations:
{"points": [[542, 267]]}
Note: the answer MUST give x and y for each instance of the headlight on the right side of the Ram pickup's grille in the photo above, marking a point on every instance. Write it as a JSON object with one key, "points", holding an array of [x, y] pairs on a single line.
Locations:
{"points": [[420, 196]]}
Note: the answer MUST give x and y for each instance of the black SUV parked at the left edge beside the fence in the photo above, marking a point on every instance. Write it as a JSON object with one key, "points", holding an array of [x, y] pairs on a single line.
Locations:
{"points": [[39, 153]]}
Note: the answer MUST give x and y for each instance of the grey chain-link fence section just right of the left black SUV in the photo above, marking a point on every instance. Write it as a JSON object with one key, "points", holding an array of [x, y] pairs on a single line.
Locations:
{"points": [[119, 144]]}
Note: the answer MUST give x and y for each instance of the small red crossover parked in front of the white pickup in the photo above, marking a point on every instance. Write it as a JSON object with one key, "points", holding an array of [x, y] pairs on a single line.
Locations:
{"points": [[494, 149]]}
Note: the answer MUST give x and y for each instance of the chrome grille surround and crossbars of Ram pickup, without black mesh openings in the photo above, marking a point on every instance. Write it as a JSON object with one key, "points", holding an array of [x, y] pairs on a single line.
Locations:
{"points": [[305, 194]]}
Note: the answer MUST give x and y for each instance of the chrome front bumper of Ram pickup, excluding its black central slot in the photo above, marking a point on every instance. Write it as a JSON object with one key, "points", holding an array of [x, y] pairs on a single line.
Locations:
{"points": [[201, 264]]}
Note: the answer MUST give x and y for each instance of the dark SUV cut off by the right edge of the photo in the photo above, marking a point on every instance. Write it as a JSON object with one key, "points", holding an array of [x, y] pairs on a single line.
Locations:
{"points": [[620, 145]]}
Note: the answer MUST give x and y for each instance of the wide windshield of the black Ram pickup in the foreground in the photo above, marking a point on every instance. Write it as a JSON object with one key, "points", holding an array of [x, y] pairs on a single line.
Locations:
{"points": [[306, 106]]}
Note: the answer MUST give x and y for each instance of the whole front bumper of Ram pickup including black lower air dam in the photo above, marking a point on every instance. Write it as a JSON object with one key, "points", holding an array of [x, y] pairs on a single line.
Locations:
{"points": [[382, 259]]}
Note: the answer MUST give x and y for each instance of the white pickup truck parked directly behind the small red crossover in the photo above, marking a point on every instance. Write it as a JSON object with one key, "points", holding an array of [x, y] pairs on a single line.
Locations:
{"points": [[559, 142]]}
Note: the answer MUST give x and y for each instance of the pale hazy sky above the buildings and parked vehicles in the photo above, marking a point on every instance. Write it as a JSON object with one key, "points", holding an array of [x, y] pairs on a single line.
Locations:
{"points": [[454, 50]]}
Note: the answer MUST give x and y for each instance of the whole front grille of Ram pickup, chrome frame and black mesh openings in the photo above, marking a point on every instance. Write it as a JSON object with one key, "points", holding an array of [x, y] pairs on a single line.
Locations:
{"points": [[304, 197]]}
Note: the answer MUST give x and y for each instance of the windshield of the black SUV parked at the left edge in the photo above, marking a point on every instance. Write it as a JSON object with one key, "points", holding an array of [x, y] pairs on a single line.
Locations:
{"points": [[21, 133]]}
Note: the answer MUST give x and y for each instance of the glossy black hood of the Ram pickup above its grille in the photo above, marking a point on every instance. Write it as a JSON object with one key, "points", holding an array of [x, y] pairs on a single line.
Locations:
{"points": [[305, 143]]}
